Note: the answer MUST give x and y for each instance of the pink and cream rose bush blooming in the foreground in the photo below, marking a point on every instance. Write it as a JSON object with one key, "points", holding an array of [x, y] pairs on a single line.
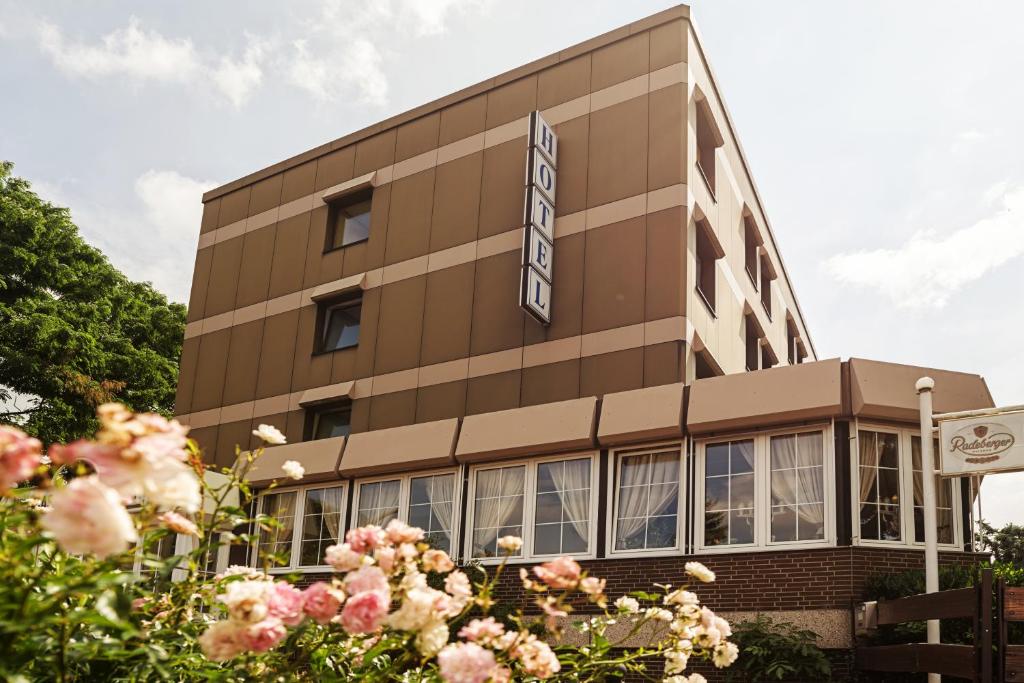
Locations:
{"points": [[73, 609]]}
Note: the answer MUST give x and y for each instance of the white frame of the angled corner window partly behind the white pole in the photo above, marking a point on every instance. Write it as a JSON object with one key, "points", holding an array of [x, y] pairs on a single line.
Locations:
{"points": [[905, 436]]}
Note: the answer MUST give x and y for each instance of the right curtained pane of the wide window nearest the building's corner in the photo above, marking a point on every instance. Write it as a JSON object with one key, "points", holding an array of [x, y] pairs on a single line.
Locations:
{"points": [[798, 510]]}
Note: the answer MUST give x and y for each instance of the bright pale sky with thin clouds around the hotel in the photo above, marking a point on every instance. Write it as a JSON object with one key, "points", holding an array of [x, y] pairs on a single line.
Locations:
{"points": [[885, 138]]}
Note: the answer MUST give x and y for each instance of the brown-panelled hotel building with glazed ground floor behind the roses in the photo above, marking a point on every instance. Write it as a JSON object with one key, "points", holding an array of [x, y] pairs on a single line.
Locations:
{"points": [[370, 298]]}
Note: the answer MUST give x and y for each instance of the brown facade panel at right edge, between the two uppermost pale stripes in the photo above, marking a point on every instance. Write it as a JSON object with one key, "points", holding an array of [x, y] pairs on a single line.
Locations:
{"points": [[667, 154]]}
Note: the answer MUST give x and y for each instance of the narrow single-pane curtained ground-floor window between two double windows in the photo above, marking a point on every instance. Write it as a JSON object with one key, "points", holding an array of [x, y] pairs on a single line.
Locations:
{"points": [[647, 501]]}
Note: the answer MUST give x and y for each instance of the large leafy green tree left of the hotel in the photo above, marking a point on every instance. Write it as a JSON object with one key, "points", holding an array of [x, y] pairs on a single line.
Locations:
{"points": [[75, 332]]}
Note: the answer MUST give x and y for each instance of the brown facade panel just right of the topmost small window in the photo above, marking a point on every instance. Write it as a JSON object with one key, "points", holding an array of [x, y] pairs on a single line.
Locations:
{"points": [[409, 221]]}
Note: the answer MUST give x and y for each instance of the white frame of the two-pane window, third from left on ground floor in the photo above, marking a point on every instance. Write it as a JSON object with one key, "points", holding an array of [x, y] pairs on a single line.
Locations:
{"points": [[529, 508]]}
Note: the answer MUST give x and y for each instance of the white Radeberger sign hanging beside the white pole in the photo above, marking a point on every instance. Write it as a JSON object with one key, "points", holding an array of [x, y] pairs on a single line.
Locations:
{"points": [[987, 444]]}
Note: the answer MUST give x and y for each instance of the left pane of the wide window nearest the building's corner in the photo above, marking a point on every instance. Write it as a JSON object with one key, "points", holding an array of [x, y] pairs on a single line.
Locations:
{"points": [[730, 493]]}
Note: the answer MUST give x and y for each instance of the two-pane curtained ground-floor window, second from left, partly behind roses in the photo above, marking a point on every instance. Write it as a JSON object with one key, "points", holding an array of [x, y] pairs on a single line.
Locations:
{"points": [[426, 500]]}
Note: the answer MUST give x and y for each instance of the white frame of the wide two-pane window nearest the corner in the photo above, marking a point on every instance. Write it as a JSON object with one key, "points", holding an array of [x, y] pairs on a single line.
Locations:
{"points": [[762, 491]]}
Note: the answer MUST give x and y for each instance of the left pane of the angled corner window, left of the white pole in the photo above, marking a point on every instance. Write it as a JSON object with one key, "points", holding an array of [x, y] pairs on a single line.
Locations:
{"points": [[880, 486]]}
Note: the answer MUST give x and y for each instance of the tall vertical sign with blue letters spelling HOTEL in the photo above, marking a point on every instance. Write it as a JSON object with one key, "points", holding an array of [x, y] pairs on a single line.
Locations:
{"points": [[539, 231]]}
